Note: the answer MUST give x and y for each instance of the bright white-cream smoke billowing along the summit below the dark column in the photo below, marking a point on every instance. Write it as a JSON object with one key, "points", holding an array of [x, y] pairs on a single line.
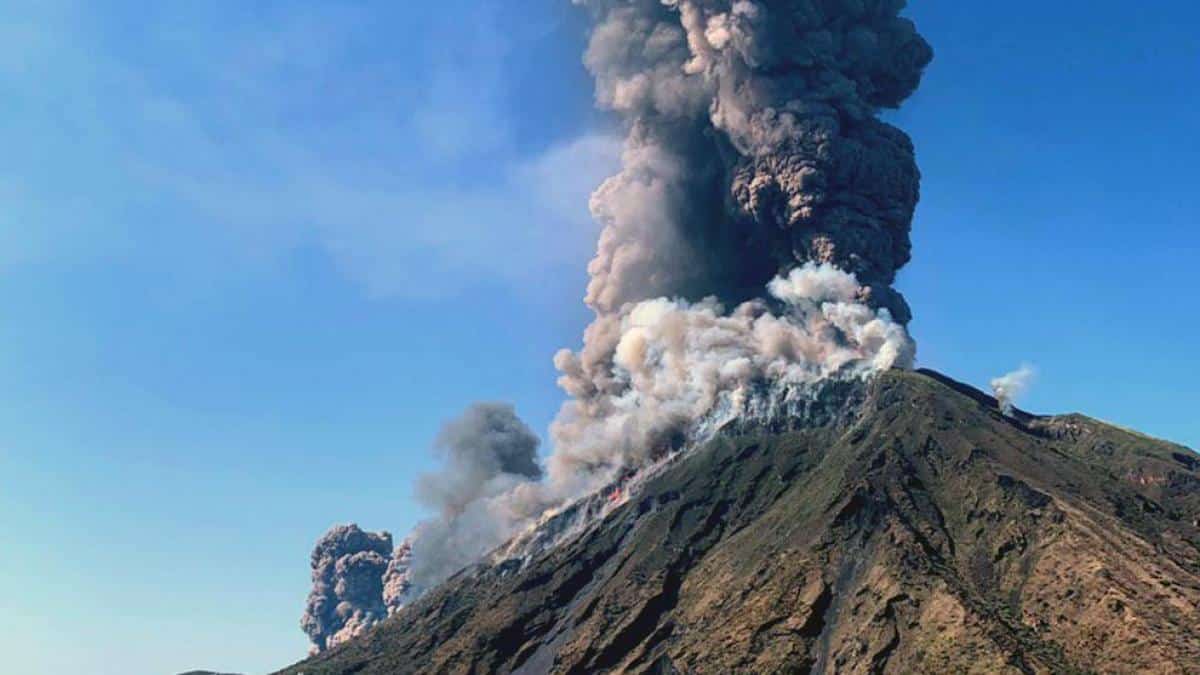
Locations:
{"points": [[675, 361]]}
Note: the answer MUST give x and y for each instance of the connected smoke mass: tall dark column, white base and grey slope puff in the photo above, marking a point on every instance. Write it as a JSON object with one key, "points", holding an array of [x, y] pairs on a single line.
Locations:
{"points": [[749, 244]]}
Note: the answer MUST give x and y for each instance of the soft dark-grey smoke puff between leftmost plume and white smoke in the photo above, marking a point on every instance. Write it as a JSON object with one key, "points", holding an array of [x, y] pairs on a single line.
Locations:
{"points": [[485, 493]]}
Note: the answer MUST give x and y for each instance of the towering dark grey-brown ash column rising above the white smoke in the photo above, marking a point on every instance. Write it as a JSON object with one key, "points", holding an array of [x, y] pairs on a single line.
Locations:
{"points": [[754, 145]]}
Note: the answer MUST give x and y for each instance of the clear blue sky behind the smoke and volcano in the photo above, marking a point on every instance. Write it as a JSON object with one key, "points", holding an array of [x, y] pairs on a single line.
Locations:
{"points": [[254, 254]]}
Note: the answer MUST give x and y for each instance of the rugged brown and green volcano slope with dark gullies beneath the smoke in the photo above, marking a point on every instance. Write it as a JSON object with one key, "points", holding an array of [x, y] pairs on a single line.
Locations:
{"points": [[925, 534]]}
